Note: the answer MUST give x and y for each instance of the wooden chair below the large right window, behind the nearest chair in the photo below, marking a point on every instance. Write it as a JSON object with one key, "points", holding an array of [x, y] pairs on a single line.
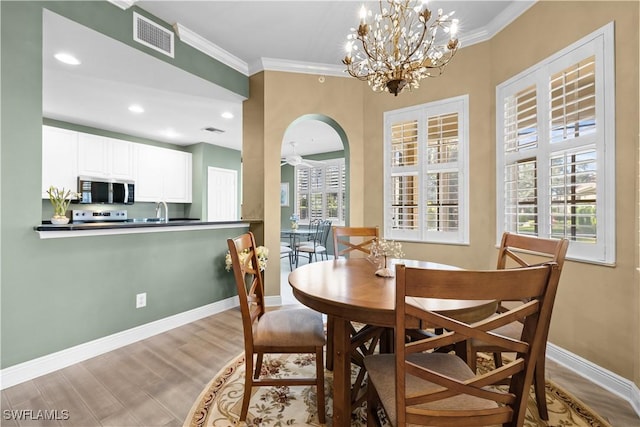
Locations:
{"points": [[517, 251]]}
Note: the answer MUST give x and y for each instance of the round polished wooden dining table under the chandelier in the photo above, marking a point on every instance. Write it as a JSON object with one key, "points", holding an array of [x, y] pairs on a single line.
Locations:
{"points": [[350, 291]]}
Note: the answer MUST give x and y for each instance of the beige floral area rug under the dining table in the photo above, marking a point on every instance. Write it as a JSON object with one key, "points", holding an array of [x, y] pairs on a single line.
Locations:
{"points": [[219, 403]]}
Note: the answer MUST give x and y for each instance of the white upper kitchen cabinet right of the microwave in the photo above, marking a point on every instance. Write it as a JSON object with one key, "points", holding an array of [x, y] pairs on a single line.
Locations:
{"points": [[162, 174]]}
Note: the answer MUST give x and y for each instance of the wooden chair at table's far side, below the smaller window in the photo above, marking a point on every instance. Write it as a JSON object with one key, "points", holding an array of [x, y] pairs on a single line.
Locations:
{"points": [[348, 241]]}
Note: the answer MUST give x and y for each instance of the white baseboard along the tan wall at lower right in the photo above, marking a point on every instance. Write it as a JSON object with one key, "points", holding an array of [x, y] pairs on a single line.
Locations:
{"points": [[606, 379]]}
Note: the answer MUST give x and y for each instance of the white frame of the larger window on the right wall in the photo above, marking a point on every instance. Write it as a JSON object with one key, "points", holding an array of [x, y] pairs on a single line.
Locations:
{"points": [[601, 44]]}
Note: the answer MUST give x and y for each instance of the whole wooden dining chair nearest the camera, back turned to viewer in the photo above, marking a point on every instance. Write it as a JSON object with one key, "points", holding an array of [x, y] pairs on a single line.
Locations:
{"points": [[420, 386]]}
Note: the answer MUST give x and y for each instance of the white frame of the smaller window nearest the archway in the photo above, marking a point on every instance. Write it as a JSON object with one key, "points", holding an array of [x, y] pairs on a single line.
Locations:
{"points": [[459, 104]]}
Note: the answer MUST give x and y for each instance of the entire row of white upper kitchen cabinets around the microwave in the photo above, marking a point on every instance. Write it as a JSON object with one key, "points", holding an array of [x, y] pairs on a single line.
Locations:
{"points": [[158, 173]]}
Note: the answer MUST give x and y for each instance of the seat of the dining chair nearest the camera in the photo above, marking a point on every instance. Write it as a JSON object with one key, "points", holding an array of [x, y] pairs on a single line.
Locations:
{"points": [[381, 370]]}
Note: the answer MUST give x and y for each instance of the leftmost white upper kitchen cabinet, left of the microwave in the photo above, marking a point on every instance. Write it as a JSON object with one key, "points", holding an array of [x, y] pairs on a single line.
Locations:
{"points": [[59, 159]]}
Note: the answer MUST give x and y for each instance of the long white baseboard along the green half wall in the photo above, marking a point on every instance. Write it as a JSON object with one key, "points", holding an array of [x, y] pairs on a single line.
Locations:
{"points": [[31, 369]]}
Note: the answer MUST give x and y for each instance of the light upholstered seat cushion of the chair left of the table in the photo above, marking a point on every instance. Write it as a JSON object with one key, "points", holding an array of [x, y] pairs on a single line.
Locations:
{"points": [[300, 327]]}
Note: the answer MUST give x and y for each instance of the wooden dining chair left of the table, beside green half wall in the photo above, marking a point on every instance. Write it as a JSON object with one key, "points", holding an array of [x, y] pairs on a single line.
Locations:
{"points": [[278, 331]]}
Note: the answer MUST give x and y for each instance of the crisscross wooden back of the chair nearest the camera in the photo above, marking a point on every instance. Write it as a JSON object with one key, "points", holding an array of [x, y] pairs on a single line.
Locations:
{"points": [[534, 284]]}
